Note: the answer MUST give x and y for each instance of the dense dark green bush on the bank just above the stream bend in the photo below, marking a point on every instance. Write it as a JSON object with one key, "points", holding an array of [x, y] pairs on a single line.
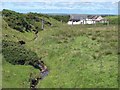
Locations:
{"points": [[15, 53]]}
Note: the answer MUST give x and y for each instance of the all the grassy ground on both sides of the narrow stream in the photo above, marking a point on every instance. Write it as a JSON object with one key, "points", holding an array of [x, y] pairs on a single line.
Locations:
{"points": [[83, 56]]}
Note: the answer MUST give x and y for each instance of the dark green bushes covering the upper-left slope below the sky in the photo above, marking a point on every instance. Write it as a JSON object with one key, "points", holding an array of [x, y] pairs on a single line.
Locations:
{"points": [[26, 22]]}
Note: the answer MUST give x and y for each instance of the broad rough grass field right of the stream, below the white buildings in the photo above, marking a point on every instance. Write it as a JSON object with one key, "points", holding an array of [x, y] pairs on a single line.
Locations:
{"points": [[73, 63]]}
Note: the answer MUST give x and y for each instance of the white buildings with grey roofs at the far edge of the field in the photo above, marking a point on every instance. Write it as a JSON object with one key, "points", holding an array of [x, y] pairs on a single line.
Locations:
{"points": [[85, 19]]}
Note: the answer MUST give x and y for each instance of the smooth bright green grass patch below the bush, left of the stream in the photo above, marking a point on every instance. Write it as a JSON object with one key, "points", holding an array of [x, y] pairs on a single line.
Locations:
{"points": [[16, 76]]}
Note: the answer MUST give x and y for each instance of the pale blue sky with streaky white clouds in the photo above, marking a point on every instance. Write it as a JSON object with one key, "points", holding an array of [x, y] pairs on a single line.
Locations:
{"points": [[62, 6]]}
